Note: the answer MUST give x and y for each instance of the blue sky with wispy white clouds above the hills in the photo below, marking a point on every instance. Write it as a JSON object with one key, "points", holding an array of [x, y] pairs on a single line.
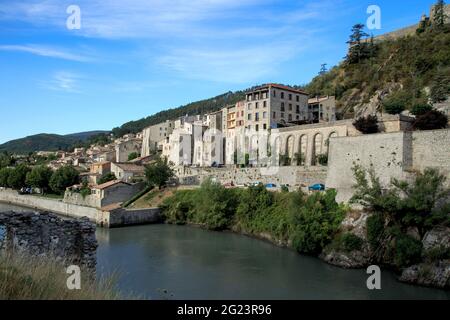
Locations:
{"points": [[131, 59]]}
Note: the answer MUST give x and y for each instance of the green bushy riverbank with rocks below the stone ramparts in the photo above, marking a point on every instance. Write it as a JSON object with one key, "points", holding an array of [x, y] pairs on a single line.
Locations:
{"points": [[317, 225]]}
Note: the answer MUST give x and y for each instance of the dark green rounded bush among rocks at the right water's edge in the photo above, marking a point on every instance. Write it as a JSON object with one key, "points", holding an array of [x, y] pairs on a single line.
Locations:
{"points": [[408, 251]]}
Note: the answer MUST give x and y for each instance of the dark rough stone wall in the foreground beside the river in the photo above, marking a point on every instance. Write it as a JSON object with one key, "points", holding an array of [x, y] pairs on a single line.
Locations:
{"points": [[47, 234]]}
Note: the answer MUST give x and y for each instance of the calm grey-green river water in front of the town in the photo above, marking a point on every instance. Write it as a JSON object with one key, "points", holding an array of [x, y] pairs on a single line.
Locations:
{"points": [[181, 262]]}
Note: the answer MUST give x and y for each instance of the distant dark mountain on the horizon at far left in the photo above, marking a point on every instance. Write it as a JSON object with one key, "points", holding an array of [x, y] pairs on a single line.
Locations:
{"points": [[48, 142]]}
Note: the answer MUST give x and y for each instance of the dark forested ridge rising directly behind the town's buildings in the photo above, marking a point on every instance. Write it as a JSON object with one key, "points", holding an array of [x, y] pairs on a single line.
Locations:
{"points": [[199, 107]]}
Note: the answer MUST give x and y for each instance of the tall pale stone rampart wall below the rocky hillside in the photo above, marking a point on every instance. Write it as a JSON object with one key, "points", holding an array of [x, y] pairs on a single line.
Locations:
{"points": [[392, 155]]}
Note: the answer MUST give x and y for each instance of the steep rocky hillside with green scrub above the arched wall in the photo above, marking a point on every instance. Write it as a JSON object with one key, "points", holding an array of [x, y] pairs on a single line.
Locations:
{"points": [[411, 70]]}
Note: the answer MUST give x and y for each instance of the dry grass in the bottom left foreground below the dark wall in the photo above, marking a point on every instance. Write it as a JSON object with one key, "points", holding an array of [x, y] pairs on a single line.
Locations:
{"points": [[36, 278]]}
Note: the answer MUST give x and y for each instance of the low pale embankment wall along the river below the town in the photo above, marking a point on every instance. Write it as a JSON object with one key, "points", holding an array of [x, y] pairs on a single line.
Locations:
{"points": [[108, 217]]}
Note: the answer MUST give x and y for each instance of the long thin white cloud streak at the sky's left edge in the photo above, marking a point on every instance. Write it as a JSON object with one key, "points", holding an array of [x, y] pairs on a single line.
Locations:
{"points": [[46, 52]]}
